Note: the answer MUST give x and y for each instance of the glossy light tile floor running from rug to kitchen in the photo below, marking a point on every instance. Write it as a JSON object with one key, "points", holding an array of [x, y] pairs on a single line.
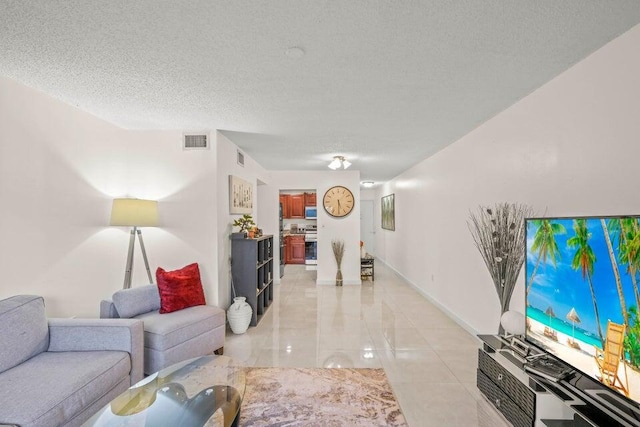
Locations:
{"points": [[430, 360]]}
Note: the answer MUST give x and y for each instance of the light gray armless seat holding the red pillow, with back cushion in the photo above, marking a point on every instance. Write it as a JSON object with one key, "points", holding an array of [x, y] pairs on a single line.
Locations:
{"points": [[171, 337]]}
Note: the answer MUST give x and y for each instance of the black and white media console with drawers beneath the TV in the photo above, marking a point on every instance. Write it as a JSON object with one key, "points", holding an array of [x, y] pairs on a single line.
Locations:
{"points": [[526, 399]]}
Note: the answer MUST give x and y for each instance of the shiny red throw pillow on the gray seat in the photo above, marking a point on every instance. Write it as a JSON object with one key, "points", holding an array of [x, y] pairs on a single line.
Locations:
{"points": [[180, 288]]}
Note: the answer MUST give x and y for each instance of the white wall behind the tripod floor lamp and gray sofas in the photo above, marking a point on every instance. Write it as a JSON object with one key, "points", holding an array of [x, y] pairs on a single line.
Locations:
{"points": [[59, 170]]}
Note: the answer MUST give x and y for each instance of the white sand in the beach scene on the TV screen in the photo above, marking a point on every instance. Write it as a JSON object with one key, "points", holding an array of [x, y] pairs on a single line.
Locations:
{"points": [[583, 358]]}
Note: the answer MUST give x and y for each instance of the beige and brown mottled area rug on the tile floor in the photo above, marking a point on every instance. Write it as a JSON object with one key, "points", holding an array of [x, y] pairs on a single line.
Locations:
{"points": [[289, 397]]}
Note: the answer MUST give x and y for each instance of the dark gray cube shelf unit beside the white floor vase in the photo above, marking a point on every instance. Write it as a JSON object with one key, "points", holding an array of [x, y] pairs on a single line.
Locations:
{"points": [[252, 272]]}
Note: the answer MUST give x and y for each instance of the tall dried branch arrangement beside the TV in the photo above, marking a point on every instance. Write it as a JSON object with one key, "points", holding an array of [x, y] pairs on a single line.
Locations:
{"points": [[499, 235]]}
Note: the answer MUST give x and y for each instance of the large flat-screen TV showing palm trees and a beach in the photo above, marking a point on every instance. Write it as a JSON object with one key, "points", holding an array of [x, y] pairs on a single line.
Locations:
{"points": [[582, 279]]}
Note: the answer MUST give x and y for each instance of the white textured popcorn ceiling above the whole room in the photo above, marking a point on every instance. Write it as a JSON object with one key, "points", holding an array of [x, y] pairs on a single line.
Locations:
{"points": [[385, 83]]}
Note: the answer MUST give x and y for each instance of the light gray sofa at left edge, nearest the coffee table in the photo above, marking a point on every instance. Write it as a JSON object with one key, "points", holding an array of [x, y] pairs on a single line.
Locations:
{"points": [[59, 372]]}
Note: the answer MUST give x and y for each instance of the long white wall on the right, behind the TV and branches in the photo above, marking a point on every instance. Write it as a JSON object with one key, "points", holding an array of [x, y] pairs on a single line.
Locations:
{"points": [[570, 148]]}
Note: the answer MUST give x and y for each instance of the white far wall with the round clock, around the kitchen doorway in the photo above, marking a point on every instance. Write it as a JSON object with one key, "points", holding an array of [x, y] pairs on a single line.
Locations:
{"points": [[329, 228]]}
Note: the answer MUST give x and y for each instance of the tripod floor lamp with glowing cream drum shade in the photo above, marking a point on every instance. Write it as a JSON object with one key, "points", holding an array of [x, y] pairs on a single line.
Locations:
{"points": [[134, 213]]}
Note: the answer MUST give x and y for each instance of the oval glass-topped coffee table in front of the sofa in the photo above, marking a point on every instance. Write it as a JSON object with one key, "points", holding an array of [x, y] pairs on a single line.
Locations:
{"points": [[205, 391]]}
